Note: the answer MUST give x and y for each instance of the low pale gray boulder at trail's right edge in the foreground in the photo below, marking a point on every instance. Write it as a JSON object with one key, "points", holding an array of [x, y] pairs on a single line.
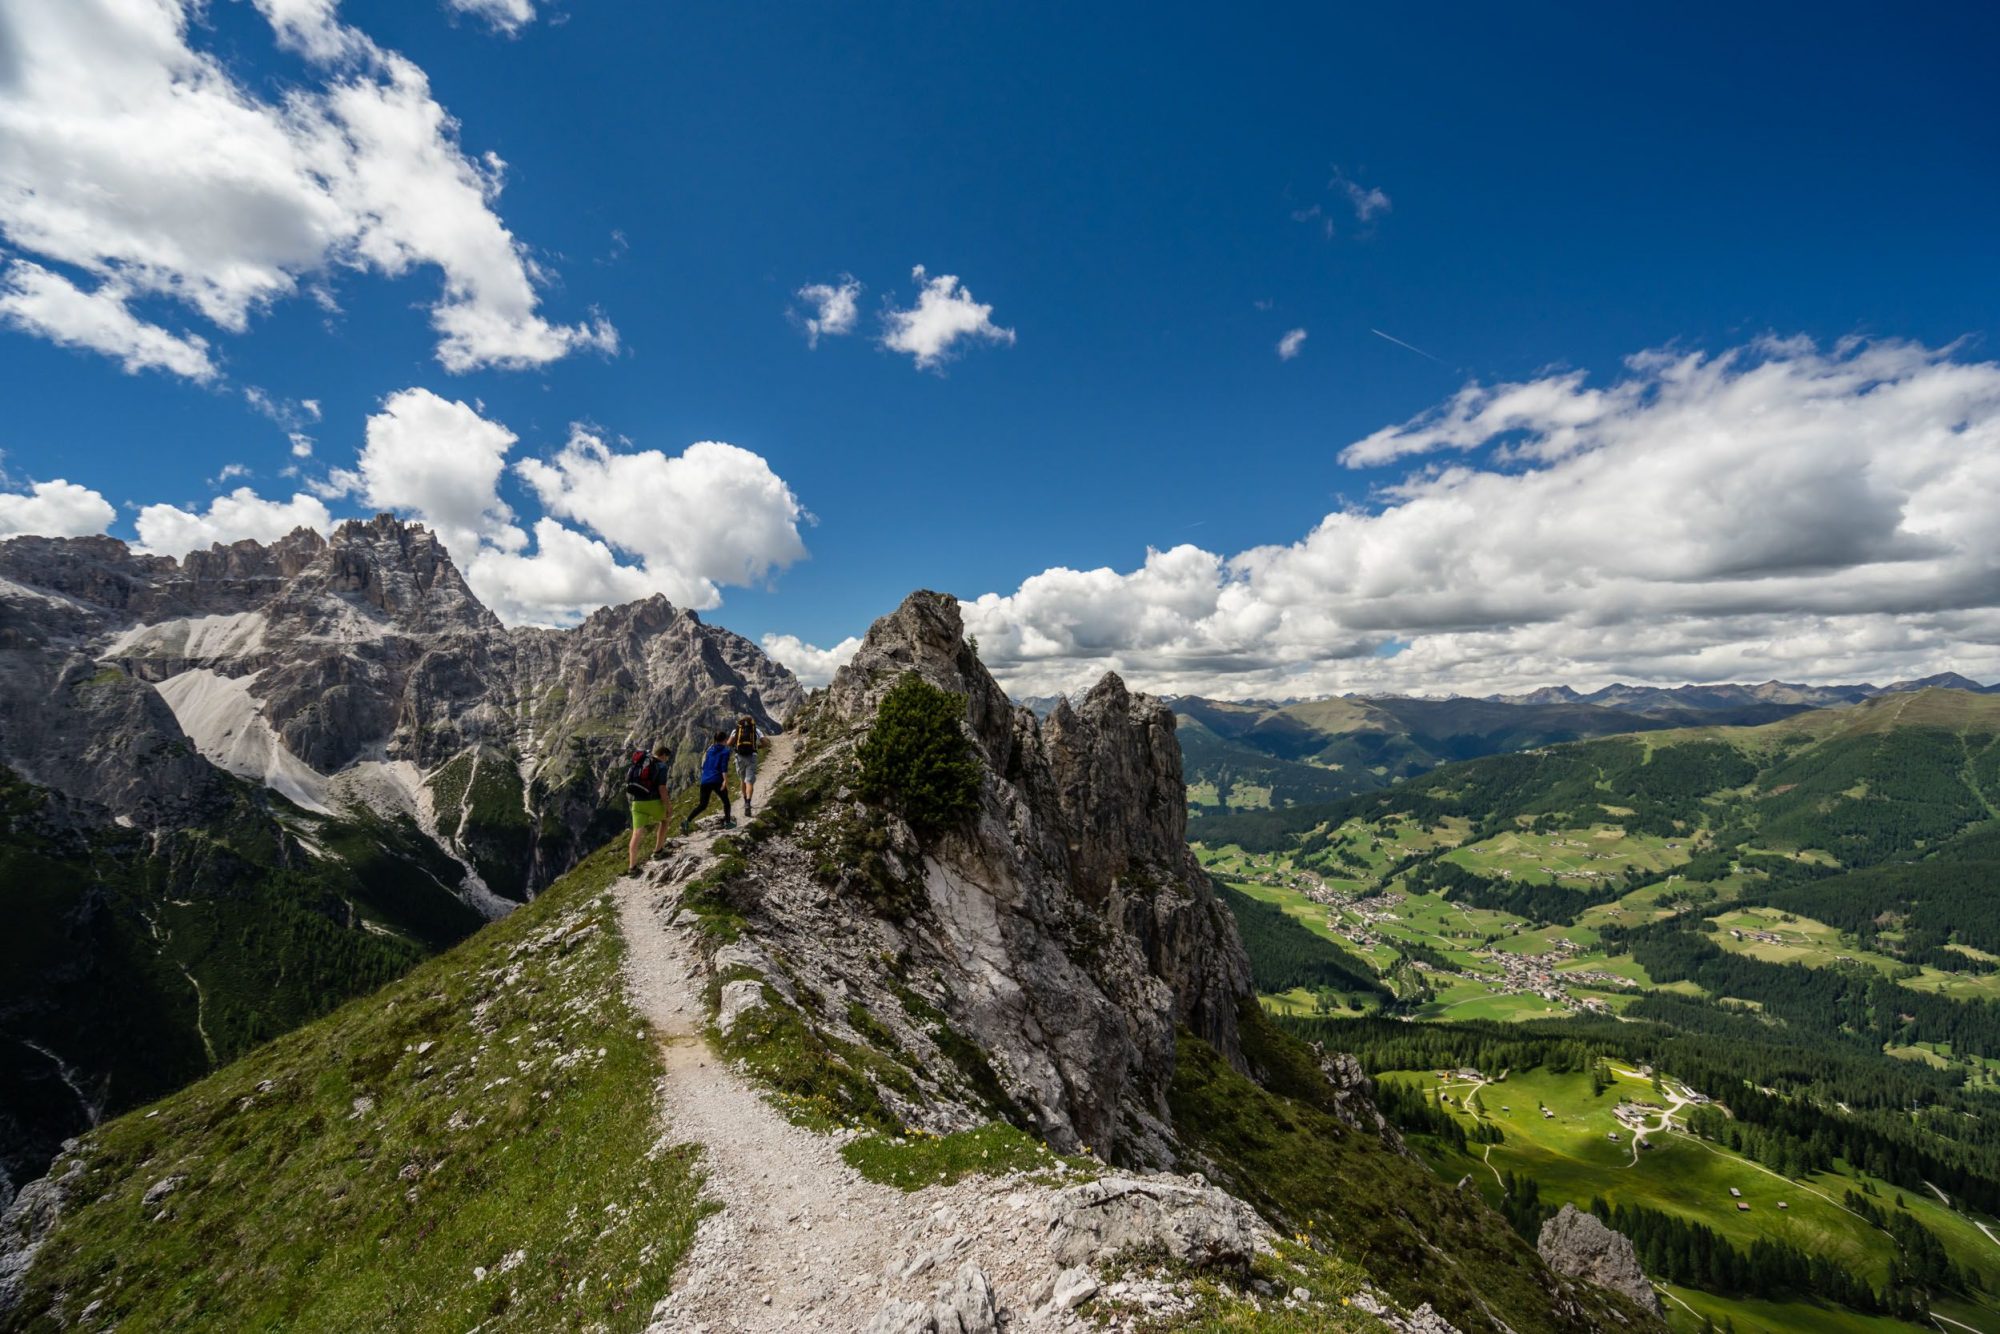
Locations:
{"points": [[1121, 1215]]}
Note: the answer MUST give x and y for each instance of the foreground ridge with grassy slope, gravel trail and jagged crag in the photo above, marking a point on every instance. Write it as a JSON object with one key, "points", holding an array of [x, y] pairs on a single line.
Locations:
{"points": [[535, 1125]]}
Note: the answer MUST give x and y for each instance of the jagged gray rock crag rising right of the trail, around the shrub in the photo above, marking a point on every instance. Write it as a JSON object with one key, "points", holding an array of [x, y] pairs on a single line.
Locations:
{"points": [[1061, 933]]}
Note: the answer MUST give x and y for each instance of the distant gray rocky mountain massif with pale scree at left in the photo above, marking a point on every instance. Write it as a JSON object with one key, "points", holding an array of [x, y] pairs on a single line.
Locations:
{"points": [[351, 671]]}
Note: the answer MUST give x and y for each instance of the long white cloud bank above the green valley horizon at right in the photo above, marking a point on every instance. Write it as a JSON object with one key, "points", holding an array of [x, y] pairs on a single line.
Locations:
{"points": [[1775, 511]]}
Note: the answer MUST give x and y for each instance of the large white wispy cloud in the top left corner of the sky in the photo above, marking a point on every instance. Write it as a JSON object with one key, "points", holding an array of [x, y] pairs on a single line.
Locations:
{"points": [[143, 165]]}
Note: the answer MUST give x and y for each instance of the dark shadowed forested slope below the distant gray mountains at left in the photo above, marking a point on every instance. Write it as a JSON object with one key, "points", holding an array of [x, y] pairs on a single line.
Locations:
{"points": [[143, 963]]}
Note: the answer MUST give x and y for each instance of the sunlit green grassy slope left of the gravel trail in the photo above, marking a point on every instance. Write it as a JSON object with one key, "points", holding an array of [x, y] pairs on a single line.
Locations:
{"points": [[461, 1151]]}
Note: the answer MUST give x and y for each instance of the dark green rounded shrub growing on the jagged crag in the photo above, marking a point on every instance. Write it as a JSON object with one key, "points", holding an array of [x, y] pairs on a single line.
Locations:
{"points": [[919, 759]]}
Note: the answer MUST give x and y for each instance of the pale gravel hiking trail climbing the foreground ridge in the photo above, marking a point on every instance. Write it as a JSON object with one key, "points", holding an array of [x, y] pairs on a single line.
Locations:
{"points": [[801, 1241]]}
